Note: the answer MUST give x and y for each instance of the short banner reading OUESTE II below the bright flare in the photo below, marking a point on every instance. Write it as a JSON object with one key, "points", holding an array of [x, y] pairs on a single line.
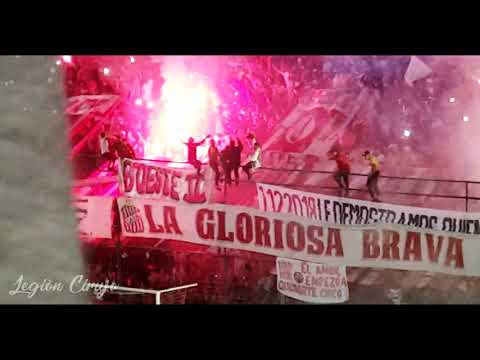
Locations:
{"points": [[153, 180]]}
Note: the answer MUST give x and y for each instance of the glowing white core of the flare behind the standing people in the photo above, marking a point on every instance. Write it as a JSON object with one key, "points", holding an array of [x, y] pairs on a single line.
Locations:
{"points": [[184, 110]]}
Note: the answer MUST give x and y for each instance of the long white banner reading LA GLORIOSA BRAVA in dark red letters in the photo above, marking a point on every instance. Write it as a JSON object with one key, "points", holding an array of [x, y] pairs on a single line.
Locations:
{"points": [[289, 236]]}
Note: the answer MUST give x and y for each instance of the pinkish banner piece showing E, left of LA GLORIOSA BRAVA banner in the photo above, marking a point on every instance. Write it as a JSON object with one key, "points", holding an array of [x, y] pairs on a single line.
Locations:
{"points": [[94, 216]]}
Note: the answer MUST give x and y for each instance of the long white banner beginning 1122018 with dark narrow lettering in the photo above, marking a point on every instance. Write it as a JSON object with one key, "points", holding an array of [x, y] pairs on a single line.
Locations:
{"points": [[346, 211]]}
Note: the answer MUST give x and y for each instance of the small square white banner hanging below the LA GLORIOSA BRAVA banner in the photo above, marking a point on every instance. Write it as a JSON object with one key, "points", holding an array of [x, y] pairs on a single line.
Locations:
{"points": [[310, 282]]}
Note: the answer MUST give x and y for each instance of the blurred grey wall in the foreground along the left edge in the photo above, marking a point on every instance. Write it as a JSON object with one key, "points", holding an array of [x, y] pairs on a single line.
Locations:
{"points": [[37, 224]]}
